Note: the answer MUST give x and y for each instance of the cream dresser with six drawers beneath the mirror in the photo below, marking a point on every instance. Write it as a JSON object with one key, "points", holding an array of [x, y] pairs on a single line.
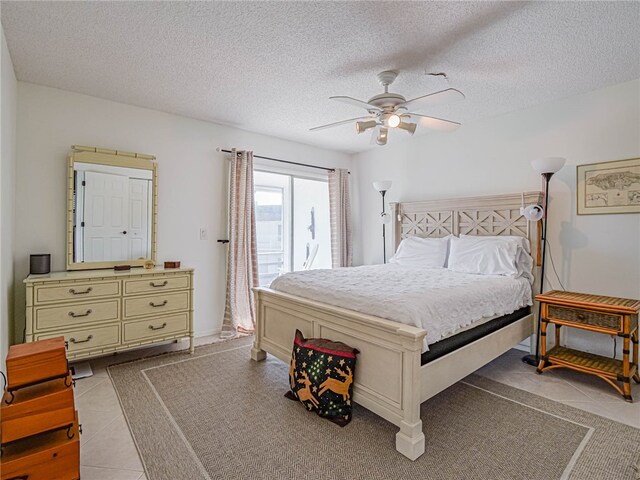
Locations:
{"points": [[102, 311]]}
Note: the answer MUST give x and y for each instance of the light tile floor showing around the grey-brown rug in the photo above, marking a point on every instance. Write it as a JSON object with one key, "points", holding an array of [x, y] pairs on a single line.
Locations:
{"points": [[107, 450]]}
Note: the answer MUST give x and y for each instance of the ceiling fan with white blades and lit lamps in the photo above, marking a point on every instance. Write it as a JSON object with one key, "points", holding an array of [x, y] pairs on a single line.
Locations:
{"points": [[391, 110]]}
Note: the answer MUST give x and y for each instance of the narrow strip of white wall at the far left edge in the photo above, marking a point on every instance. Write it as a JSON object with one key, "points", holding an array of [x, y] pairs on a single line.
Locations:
{"points": [[8, 86]]}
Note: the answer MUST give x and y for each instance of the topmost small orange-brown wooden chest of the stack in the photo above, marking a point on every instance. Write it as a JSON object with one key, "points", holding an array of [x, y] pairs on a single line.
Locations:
{"points": [[31, 363]]}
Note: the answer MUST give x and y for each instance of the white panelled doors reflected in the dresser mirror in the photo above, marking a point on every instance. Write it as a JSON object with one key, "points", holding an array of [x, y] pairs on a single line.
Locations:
{"points": [[116, 211]]}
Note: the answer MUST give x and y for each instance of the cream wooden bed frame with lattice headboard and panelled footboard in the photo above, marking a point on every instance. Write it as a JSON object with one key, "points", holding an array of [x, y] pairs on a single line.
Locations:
{"points": [[396, 373]]}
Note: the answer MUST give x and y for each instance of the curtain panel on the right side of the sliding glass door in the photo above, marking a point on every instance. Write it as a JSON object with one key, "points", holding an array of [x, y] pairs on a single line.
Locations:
{"points": [[340, 217]]}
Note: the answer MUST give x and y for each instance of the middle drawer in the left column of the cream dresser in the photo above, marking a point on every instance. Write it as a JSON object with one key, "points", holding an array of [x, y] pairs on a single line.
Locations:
{"points": [[76, 314]]}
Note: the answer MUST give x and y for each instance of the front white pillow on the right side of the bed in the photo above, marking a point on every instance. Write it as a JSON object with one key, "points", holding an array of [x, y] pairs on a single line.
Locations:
{"points": [[480, 256]]}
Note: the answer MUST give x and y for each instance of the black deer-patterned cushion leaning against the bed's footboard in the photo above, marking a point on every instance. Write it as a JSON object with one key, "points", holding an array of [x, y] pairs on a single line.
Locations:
{"points": [[321, 377]]}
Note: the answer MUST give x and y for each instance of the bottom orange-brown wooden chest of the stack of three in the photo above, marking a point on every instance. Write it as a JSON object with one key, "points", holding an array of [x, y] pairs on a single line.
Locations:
{"points": [[50, 456]]}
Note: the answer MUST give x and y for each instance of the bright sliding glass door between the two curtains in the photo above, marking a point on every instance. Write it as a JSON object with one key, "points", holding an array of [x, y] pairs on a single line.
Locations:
{"points": [[292, 222]]}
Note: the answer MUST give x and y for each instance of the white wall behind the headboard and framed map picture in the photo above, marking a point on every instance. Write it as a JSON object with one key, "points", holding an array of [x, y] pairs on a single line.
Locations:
{"points": [[592, 253]]}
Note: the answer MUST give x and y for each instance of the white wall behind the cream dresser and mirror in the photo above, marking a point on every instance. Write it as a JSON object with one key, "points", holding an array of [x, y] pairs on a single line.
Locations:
{"points": [[192, 181]]}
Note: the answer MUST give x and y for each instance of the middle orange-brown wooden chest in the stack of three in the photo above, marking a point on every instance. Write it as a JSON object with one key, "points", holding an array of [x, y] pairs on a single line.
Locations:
{"points": [[39, 408]]}
